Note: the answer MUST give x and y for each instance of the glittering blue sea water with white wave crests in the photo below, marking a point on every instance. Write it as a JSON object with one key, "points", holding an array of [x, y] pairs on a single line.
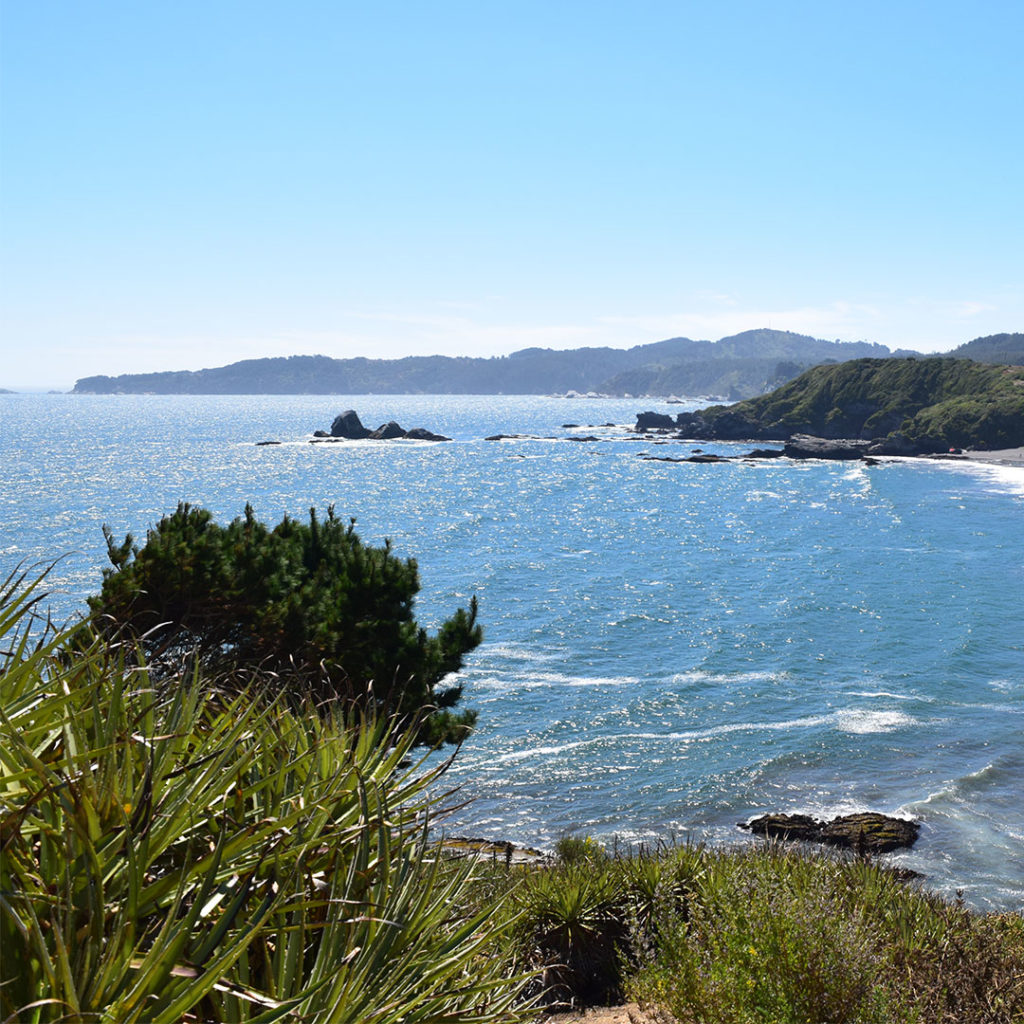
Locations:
{"points": [[670, 648]]}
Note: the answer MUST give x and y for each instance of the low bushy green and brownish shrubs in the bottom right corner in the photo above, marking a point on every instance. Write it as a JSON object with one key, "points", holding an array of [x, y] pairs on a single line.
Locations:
{"points": [[777, 935]]}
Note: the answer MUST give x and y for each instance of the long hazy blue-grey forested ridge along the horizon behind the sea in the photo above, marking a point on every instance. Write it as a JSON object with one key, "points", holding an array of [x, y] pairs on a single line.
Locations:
{"points": [[739, 366]]}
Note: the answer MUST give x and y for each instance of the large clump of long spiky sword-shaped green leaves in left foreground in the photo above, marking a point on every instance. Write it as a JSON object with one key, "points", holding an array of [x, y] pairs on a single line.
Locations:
{"points": [[183, 855]]}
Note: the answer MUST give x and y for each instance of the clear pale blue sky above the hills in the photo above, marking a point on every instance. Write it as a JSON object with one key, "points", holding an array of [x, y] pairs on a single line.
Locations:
{"points": [[186, 185]]}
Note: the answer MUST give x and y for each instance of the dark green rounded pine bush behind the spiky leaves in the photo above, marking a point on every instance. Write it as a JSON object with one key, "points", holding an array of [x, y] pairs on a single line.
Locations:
{"points": [[310, 603]]}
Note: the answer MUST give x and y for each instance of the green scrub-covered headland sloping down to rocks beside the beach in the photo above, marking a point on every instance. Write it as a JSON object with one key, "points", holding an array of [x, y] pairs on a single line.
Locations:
{"points": [[926, 404]]}
